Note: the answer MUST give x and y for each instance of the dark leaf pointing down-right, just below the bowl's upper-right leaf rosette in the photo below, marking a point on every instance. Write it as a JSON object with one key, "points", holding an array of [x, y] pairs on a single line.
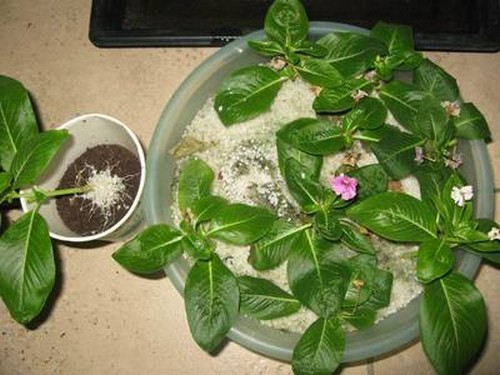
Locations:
{"points": [[403, 101]]}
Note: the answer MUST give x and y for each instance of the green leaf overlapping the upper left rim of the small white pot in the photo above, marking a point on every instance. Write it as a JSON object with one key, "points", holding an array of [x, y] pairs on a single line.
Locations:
{"points": [[35, 155]]}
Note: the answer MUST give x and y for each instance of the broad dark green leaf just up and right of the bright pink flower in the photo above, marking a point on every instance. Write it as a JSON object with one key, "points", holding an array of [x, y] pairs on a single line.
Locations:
{"points": [[395, 151]]}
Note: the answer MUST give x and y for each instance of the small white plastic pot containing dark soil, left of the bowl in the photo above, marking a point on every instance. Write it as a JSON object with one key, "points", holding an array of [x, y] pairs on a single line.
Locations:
{"points": [[85, 132]]}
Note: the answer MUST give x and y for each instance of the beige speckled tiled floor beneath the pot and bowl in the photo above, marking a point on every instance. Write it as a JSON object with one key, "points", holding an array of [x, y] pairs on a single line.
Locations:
{"points": [[105, 320]]}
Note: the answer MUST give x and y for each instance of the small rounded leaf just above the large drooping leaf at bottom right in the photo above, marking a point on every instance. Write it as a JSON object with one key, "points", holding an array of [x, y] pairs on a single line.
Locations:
{"points": [[435, 259]]}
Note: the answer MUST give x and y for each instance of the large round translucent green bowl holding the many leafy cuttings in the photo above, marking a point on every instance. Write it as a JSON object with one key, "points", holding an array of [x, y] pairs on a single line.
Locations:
{"points": [[390, 334]]}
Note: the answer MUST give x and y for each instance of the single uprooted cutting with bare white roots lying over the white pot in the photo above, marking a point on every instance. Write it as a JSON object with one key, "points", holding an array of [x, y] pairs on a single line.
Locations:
{"points": [[27, 266]]}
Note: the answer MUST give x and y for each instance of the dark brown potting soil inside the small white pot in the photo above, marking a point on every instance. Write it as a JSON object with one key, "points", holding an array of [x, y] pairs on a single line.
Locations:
{"points": [[82, 215]]}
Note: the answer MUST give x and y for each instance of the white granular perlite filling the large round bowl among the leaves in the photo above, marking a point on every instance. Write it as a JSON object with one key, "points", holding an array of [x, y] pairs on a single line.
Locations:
{"points": [[245, 164]]}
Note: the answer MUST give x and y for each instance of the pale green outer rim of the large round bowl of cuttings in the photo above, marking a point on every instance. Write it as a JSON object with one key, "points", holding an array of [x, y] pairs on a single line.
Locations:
{"points": [[242, 332]]}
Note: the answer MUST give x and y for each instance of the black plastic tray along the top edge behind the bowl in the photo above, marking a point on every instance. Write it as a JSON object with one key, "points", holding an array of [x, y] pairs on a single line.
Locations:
{"points": [[452, 25]]}
